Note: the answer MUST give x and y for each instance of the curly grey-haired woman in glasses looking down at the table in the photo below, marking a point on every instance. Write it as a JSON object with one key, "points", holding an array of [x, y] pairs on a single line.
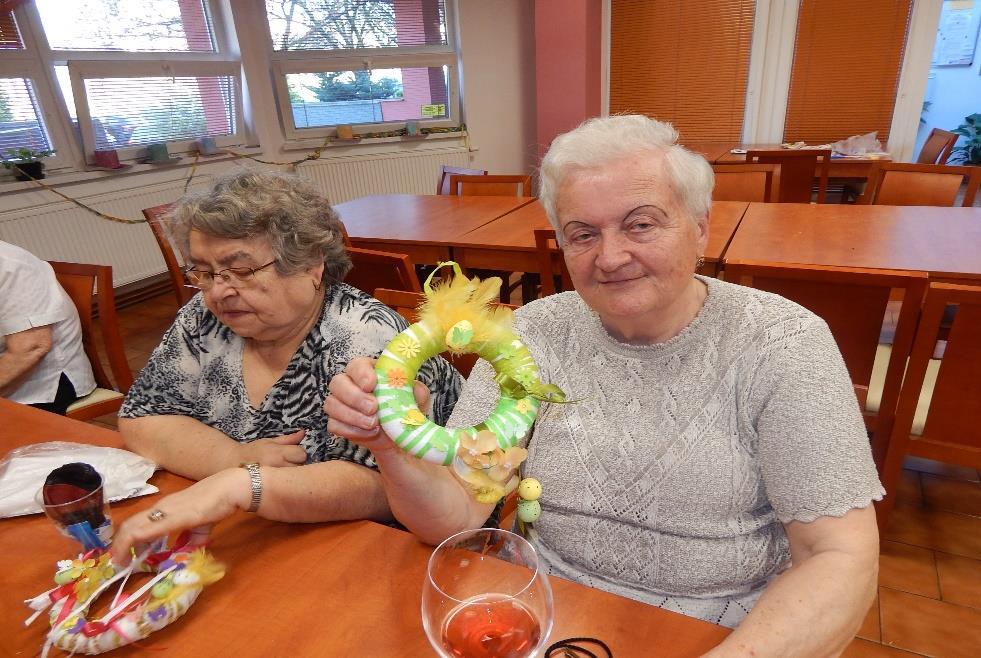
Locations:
{"points": [[241, 376]]}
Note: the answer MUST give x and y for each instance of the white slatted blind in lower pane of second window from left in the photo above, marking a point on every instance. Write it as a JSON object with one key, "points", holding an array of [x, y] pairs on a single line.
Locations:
{"points": [[147, 110]]}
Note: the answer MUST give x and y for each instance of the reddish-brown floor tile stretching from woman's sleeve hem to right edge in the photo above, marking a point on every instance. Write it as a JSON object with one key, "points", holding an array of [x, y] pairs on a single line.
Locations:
{"points": [[943, 531]]}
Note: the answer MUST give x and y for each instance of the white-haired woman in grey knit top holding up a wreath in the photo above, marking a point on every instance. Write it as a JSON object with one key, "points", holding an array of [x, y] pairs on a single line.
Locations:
{"points": [[714, 462]]}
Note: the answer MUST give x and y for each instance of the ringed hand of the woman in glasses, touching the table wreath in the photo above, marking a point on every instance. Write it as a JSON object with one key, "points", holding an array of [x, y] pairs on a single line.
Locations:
{"points": [[197, 508]]}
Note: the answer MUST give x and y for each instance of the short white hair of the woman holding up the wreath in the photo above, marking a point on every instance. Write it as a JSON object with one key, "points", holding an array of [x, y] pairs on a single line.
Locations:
{"points": [[601, 140]]}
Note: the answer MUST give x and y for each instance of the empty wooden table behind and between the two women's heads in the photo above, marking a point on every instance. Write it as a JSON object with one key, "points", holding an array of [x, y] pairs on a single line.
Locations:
{"points": [[422, 226]]}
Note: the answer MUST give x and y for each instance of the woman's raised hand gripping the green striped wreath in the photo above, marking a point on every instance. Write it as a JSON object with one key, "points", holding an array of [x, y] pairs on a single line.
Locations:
{"points": [[352, 409]]}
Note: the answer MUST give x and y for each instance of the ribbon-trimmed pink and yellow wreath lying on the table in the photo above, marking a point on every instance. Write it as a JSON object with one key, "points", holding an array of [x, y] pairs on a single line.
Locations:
{"points": [[179, 576]]}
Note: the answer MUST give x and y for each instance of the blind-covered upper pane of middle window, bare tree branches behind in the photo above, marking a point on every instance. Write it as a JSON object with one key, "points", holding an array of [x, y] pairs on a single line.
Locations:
{"points": [[353, 24]]}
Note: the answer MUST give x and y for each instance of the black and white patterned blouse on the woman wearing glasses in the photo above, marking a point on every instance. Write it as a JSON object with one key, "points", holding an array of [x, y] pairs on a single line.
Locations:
{"points": [[196, 371]]}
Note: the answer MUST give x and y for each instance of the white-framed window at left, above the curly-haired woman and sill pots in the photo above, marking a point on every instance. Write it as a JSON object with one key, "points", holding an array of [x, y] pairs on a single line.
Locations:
{"points": [[137, 72]]}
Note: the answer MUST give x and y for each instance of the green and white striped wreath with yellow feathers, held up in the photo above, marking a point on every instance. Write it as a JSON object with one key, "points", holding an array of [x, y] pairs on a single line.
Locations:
{"points": [[457, 316]]}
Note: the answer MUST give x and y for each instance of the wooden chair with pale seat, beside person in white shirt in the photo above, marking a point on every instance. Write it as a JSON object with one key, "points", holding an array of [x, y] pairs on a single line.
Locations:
{"points": [[78, 281]]}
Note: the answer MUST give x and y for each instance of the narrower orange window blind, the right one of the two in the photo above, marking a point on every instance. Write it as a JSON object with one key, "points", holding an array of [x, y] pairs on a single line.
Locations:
{"points": [[847, 60]]}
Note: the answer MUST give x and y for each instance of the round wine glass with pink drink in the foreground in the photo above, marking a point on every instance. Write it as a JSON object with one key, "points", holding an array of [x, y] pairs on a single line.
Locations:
{"points": [[486, 596]]}
